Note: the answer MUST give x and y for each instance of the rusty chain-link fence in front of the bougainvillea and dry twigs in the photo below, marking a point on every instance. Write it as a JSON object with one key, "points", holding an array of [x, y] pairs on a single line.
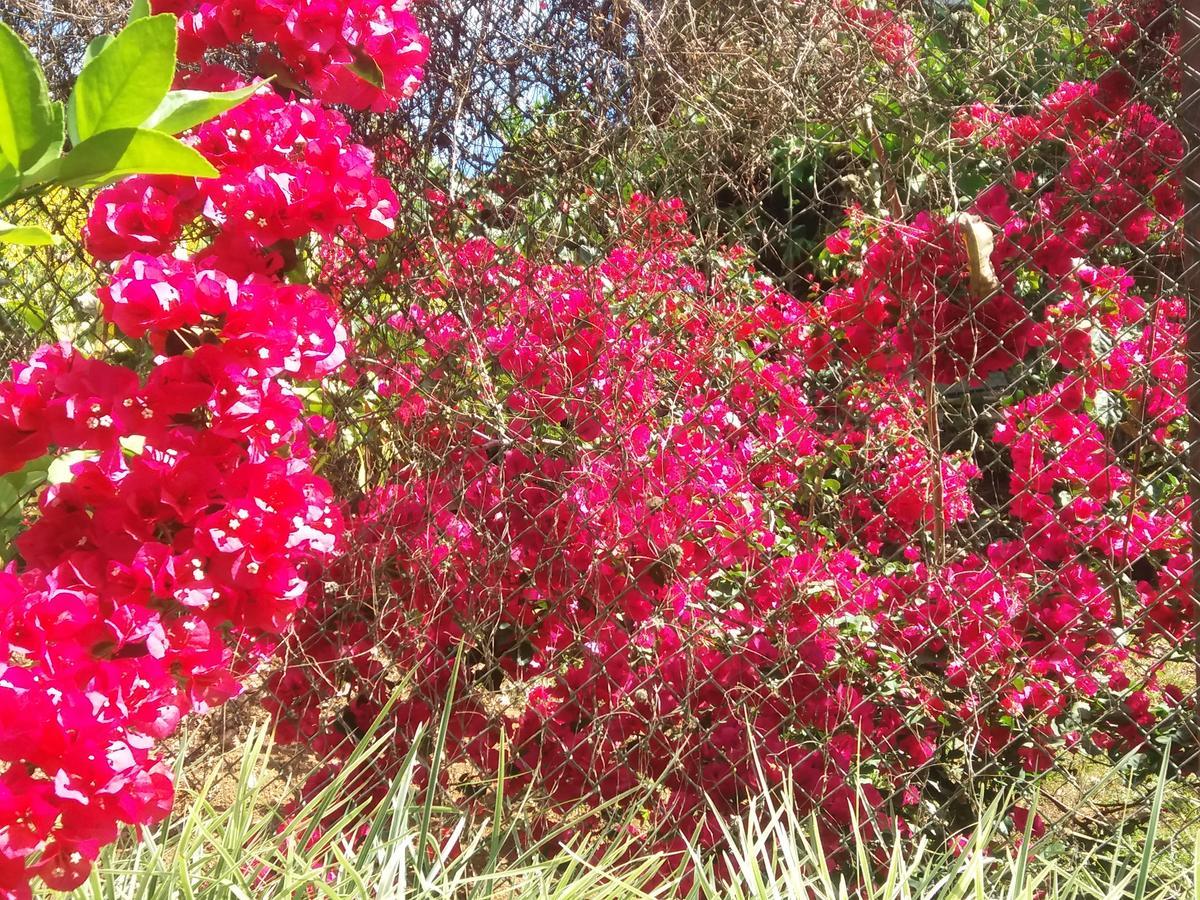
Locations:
{"points": [[759, 395]]}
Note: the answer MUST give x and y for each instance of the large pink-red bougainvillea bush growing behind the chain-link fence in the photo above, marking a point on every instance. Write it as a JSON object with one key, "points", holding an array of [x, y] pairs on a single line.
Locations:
{"points": [[700, 537]]}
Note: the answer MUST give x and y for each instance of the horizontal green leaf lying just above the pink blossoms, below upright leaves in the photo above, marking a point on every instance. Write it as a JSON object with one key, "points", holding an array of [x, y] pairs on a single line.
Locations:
{"points": [[129, 152]]}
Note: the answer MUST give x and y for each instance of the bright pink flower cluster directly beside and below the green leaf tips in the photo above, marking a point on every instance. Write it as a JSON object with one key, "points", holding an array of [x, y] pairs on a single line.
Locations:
{"points": [[287, 170]]}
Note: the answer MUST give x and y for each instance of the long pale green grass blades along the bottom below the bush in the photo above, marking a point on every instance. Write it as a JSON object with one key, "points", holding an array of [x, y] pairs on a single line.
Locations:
{"points": [[407, 848]]}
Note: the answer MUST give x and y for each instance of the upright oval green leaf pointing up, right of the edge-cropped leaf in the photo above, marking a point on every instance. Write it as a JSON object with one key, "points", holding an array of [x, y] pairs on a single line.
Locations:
{"points": [[123, 86]]}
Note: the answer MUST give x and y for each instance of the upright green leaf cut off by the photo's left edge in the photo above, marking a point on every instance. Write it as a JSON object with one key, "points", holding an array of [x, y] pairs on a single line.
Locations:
{"points": [[26, 117]]}
